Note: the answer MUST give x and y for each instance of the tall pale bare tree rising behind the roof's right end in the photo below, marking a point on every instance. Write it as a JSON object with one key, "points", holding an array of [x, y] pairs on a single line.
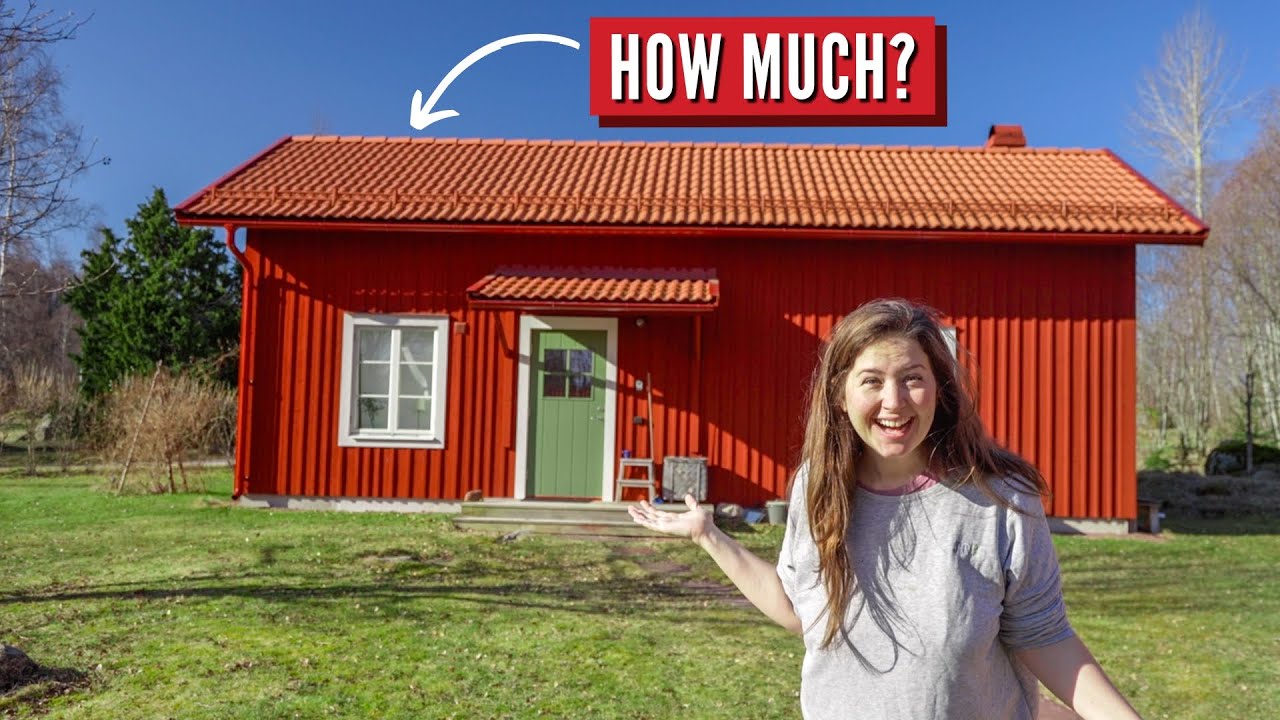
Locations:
{"points": [[1183, 104]]}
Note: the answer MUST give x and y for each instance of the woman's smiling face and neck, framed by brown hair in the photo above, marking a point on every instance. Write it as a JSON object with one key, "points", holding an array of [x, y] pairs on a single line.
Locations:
{"points": [[890, 397]]}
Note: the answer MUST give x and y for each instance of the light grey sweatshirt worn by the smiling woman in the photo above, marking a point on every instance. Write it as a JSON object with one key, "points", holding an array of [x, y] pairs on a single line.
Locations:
{"points": [[948, 584]]}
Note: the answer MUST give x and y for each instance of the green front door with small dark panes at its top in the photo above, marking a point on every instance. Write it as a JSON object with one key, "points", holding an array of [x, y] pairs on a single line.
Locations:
{"points": [[566, 414]]}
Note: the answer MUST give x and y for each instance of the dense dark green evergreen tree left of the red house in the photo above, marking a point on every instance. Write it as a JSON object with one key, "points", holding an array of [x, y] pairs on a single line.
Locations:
{"points": [[163, 294]]}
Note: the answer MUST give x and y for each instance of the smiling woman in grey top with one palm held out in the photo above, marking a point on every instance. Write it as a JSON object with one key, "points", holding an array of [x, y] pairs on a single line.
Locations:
{"points": [[917, 562]]}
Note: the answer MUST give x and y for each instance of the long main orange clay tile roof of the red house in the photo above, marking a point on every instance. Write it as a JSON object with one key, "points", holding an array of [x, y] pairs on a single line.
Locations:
{"points": [[519, 183]]}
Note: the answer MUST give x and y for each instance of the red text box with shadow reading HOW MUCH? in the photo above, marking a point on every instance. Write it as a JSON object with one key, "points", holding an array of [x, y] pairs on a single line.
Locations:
{"points": [[682, 72]]}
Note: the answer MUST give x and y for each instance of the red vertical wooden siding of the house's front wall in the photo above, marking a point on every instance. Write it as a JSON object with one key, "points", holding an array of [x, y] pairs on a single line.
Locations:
{"points": [[1052, 330]]}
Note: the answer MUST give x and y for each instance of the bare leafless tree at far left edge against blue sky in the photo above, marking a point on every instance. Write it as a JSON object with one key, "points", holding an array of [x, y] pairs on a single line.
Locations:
{"points": [[42, 154]]}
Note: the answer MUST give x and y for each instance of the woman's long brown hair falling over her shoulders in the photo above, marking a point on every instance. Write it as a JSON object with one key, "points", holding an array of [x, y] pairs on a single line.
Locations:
{"points": [[961, 450]]}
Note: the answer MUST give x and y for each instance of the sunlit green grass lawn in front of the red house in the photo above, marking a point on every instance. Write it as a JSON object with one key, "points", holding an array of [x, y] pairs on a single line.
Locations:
{"points": [[181, 607]]}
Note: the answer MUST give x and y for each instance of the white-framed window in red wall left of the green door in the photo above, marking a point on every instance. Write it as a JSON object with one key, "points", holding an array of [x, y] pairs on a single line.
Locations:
{"points": [[395, 371]]}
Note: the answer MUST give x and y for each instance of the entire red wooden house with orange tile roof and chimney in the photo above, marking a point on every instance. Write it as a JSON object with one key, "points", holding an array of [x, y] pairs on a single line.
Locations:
{"points": [[427, 317]]}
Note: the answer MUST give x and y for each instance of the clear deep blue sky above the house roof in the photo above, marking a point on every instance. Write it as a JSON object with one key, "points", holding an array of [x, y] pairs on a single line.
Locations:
{"points": [[179, 94]]}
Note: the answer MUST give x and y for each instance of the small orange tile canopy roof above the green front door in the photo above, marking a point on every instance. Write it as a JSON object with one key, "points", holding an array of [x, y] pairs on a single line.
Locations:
{"points": [[689, 290]]}
